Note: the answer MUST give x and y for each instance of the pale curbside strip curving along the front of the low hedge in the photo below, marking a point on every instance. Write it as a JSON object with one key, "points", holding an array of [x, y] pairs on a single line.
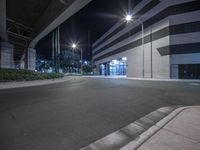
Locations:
{"points": [[18, 84]]}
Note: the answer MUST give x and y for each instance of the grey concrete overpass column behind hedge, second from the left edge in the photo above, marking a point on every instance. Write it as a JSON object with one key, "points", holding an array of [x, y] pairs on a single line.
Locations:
{"points": [[31, 59]]}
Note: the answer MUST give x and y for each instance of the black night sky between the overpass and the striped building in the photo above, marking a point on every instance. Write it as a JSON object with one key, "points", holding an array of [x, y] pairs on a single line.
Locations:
{"points": [[86, 26]]}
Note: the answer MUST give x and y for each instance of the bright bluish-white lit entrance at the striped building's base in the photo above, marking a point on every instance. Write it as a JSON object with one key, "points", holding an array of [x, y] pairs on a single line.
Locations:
{"points": [[114, 67]]}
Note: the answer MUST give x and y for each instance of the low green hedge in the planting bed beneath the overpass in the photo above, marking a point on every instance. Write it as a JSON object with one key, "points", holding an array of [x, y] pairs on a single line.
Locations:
{"points": [[27, 75]]}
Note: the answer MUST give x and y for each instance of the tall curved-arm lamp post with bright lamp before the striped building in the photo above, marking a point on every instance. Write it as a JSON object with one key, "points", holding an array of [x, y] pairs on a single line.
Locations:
{"points": [[128, 19]]}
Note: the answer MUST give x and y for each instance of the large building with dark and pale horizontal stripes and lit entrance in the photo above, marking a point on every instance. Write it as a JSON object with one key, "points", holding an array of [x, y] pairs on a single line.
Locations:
{"points": [[168, 47]]}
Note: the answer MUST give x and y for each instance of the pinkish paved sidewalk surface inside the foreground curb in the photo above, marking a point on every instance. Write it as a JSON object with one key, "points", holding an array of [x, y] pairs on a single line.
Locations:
{"points": [[181, 133]]}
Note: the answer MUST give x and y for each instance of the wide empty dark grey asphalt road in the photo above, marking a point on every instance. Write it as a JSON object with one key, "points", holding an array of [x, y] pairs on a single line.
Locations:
{"points": [[72, 114]]}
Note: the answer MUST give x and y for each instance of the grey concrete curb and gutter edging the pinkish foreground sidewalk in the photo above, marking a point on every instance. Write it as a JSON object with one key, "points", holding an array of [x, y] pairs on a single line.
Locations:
{"points": [[135, 134]]}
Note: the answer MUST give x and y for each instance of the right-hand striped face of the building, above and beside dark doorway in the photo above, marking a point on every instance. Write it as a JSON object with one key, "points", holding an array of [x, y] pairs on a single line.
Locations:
{"points": [[184, 40]]}
